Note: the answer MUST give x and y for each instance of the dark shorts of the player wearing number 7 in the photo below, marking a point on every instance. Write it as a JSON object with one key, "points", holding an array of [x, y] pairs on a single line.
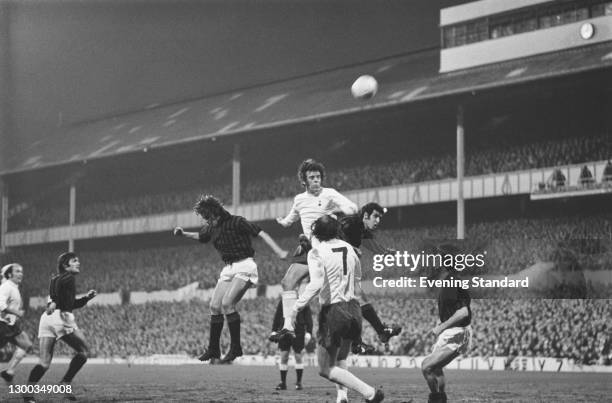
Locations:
{"points": [[339, 321]]}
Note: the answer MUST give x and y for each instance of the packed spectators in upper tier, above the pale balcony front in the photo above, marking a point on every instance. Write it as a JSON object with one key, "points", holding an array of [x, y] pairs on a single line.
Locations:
{"points": [[385, 170]]}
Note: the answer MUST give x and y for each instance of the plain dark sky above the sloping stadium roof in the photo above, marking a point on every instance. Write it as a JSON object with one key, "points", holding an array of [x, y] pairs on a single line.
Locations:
{"points": [[69, 61]]}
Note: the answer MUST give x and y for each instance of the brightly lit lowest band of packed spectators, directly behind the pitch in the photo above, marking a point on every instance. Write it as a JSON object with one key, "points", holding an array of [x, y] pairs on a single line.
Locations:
{"points": [[574, 329]]}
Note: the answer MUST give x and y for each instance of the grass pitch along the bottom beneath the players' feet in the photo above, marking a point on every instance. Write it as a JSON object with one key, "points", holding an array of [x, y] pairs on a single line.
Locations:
{"points": [[233, 383]]}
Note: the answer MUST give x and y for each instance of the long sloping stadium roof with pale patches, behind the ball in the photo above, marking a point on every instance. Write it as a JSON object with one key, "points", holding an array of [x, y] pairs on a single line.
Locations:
{"points": [[402, 79]]}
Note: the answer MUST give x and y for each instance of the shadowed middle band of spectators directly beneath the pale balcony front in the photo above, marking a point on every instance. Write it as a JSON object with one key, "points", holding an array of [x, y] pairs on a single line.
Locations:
{"points": [[510, 245]]}
